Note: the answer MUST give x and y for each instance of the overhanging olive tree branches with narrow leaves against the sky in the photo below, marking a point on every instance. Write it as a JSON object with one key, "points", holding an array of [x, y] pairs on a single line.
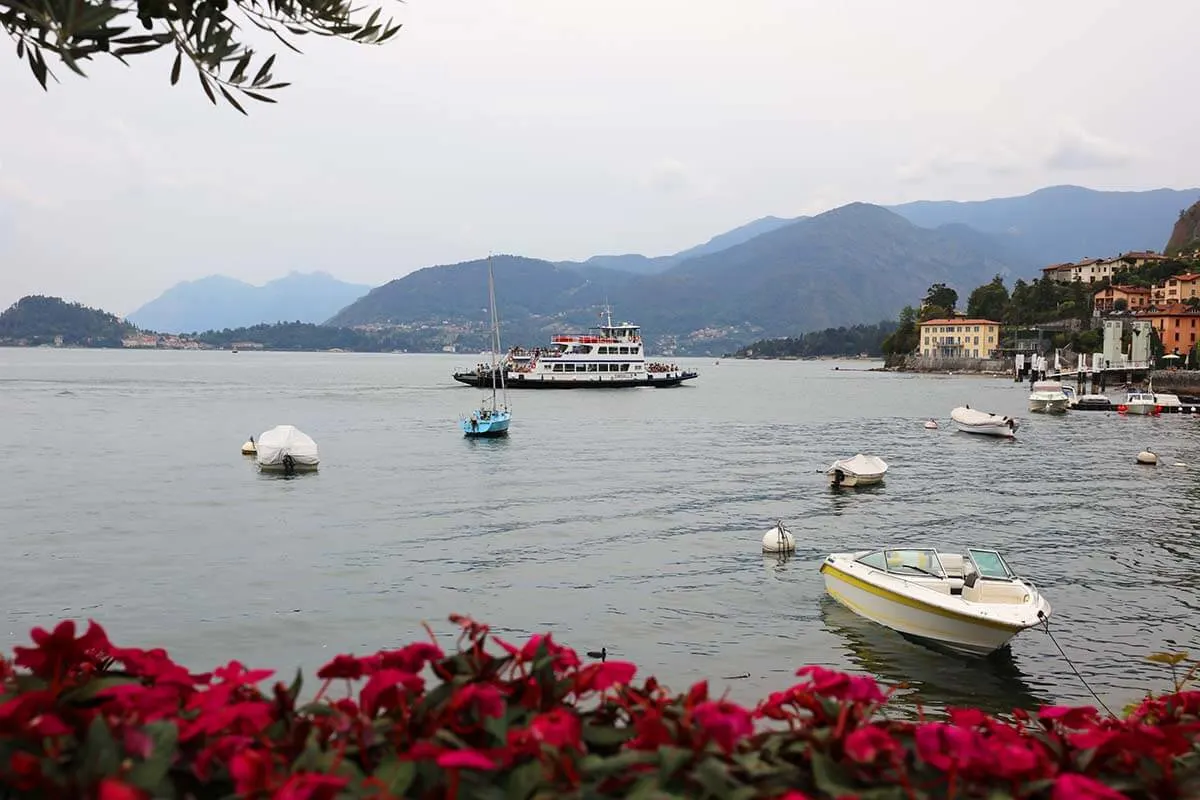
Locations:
{"points": [[207, 34]]}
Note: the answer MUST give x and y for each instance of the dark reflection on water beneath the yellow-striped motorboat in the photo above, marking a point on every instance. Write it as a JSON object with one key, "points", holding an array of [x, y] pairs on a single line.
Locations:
{"points": [[994, 685]]}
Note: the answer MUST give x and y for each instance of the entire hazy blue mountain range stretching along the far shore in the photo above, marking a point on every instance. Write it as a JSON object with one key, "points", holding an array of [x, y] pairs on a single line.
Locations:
{"points": [[775, 276]]}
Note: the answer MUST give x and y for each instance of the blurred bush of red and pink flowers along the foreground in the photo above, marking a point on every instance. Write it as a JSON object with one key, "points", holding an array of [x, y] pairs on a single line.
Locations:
{"points": [[81, 717]]}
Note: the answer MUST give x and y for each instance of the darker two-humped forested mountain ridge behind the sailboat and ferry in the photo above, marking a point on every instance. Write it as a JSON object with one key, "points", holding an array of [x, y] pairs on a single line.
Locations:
{"points": [[860, 263]]}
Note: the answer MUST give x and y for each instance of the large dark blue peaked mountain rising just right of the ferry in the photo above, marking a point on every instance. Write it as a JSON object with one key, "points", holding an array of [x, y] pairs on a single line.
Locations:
{"points": [[856, 264]]}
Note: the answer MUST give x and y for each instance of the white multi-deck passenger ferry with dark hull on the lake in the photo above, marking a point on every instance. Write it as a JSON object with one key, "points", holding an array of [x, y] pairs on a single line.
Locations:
{"points": [[614, 358]]}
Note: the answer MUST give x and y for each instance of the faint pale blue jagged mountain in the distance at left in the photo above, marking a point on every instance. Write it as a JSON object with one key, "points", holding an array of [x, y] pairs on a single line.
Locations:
{"points": [[218, 303]]}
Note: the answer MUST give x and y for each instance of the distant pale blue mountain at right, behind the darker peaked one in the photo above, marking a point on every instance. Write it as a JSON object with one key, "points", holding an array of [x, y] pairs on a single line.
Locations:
{"points": [[1064, 224]]}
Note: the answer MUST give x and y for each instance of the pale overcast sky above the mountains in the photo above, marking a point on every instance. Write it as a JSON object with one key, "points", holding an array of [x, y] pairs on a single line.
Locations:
{"points": [[562, 129]]}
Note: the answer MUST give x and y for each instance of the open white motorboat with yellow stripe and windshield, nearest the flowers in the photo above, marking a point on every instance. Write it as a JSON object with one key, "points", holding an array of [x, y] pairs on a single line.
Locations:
{"points": [[973, 604]]}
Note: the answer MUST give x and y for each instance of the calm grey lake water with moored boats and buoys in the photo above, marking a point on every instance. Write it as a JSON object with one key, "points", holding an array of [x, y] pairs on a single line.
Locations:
{"points": [[627, 519]]}
